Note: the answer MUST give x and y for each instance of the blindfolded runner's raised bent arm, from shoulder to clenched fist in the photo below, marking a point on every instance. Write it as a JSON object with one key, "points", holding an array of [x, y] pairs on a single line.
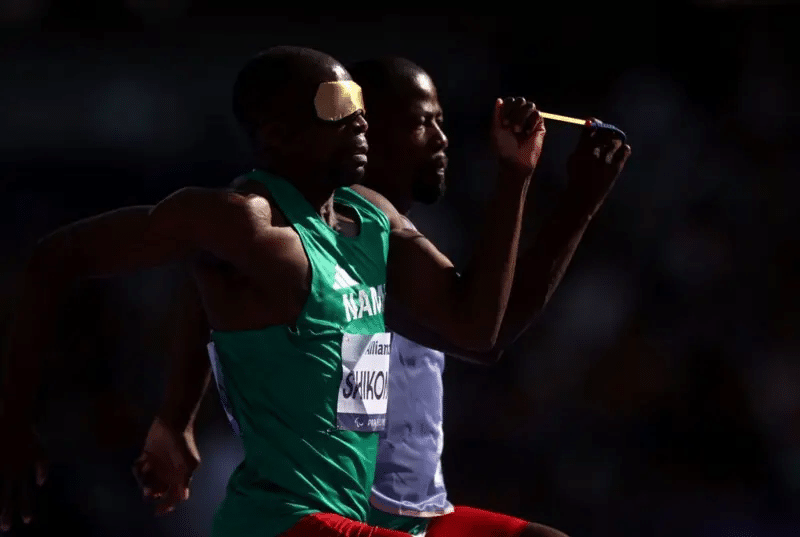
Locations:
{"points": [[466, 311]]}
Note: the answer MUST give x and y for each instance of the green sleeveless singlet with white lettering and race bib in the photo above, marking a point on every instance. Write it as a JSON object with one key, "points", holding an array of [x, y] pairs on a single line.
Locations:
{"points": [[309, 399]]}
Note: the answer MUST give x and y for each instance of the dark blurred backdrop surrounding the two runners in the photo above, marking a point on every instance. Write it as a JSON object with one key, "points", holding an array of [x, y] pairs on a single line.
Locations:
{"points": [[657, 396]]}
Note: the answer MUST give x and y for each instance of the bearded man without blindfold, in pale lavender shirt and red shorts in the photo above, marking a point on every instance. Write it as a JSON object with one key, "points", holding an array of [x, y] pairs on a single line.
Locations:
{"points": [[407, 164]]}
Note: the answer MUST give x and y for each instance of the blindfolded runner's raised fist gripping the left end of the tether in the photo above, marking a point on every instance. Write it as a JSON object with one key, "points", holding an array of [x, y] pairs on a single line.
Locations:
{"points": [[517, 133]]}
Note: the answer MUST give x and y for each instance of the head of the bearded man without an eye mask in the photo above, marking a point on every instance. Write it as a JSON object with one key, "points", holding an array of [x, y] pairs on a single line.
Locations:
{"points": [[407, 146]]}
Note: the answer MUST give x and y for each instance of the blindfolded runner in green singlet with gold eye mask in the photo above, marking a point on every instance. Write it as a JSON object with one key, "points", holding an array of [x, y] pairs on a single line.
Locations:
{"points": [[261, 272]]}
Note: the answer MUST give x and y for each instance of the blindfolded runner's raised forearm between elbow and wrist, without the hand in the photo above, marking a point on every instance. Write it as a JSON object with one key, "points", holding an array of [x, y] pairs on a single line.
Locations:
{"points": [[484, 289]]}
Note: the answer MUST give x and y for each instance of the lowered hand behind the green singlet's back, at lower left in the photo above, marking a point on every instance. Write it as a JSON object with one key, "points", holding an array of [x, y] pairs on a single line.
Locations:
{"points": [[165, 467]]}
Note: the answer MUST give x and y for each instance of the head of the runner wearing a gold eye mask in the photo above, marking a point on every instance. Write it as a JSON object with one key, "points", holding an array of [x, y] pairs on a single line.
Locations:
{"points": [[276, 99]]}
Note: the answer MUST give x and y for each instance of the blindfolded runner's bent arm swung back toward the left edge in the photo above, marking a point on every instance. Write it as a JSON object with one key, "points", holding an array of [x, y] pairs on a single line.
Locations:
{"points": [[112, 243]]}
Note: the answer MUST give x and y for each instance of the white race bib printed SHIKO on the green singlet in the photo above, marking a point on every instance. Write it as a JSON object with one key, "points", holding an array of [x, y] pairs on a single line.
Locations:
{"points": [[364, 391]]}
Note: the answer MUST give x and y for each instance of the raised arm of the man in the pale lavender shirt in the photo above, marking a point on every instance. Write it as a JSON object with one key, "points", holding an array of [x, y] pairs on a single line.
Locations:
{"points": [[593, 169]]}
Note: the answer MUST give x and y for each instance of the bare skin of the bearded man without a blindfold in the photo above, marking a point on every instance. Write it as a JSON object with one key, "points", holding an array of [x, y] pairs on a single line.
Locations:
{"points": [[407, 165]]}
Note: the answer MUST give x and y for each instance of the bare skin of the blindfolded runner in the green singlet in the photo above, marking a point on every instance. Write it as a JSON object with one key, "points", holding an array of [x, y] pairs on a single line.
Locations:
{"points": [[261, 279]]}
